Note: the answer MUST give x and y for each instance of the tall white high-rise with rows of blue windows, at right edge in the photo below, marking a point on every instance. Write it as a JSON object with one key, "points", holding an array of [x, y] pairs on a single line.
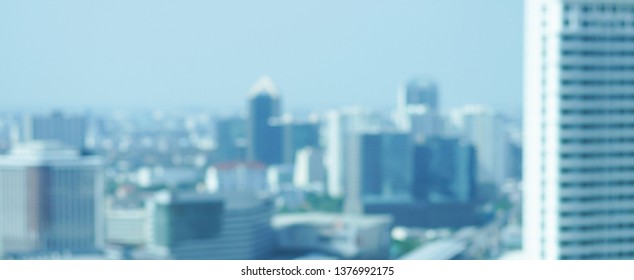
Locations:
{"points": [[578, 113]]}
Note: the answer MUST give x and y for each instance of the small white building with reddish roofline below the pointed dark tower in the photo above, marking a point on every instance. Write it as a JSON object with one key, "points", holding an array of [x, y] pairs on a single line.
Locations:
{"points": [[236, 177]]}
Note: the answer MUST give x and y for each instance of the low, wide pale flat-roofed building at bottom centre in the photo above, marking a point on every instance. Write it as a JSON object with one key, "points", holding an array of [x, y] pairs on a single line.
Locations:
{"points": [[347, 237]]}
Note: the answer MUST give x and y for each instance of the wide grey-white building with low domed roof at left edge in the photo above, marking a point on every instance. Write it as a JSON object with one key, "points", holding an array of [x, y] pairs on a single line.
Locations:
{"points": [[51, 200]]}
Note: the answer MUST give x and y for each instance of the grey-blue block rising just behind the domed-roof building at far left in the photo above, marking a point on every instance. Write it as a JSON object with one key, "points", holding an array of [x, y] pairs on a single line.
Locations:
{"points": [[66, 129]]}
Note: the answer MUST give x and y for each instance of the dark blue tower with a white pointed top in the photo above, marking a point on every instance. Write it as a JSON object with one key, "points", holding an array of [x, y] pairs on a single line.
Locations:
{"points": [[263, 130]]}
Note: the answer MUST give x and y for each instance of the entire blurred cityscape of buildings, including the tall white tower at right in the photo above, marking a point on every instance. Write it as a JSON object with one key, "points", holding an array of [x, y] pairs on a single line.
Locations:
{"points": [[195, 186]]}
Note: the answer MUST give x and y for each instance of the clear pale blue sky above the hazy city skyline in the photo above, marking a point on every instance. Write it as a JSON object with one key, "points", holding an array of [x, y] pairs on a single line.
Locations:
{"points": [[321, 54]]}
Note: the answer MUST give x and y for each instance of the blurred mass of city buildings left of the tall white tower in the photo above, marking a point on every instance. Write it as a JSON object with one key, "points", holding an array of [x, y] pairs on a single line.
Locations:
{"points": [[241, 187]]}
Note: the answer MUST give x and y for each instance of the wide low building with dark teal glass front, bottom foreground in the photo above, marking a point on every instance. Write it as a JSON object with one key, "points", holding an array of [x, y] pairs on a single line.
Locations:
{"points": [[202, 226]]}
